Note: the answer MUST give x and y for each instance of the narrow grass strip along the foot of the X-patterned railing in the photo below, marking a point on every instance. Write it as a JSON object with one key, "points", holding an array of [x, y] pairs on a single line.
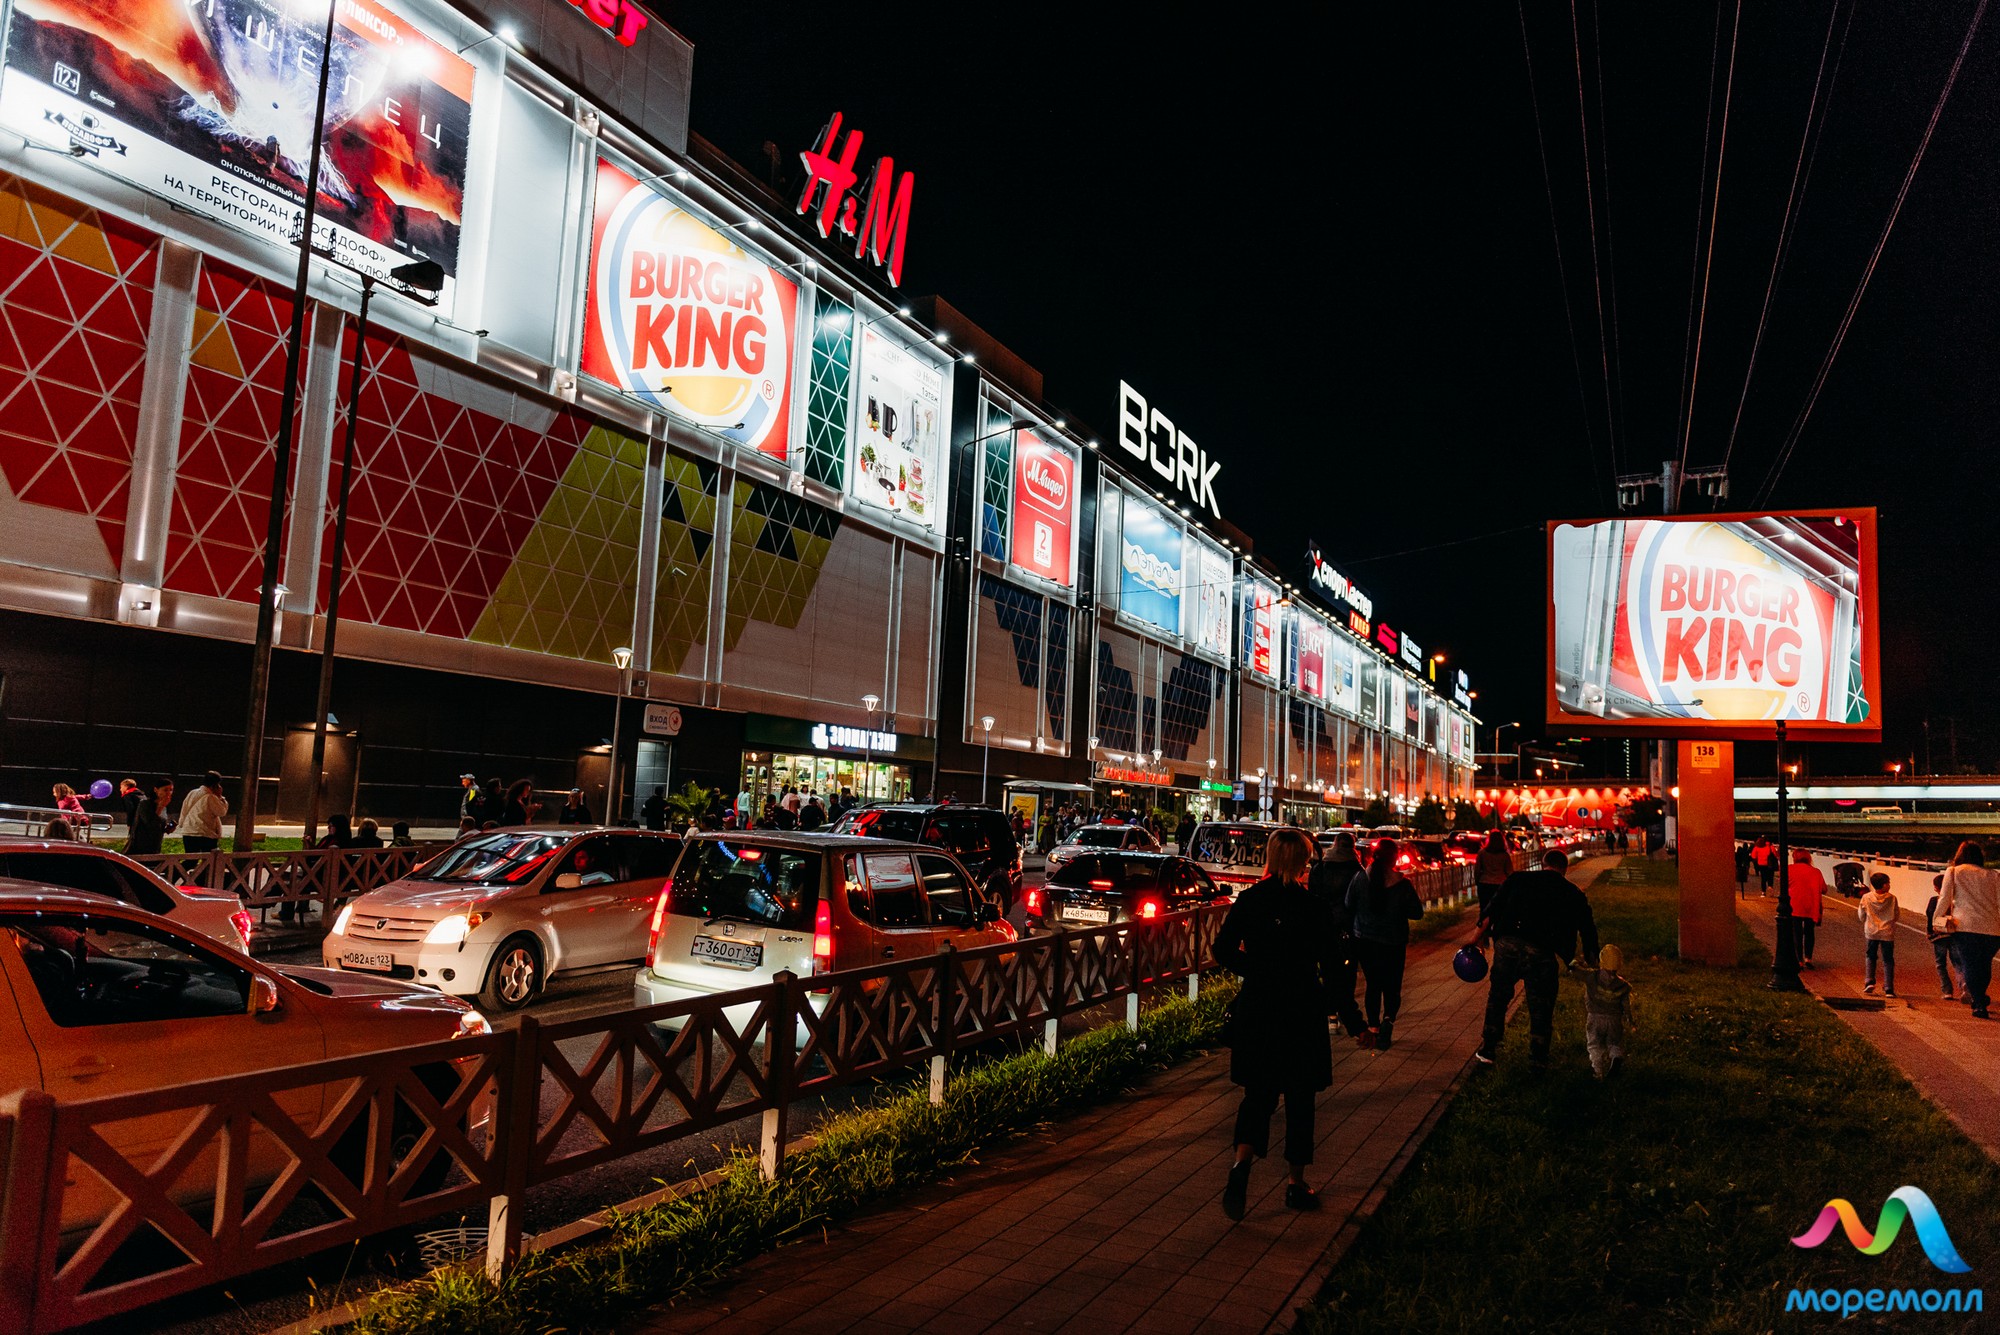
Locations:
{"points": [[901, 1142]]}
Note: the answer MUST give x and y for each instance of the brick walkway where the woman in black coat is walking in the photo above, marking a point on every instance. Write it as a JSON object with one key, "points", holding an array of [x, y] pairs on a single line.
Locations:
{"points": [[1113, 1222]]}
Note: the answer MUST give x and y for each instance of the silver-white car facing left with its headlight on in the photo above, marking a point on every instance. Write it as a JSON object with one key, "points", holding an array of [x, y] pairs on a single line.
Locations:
{"points": [[503, 912]]}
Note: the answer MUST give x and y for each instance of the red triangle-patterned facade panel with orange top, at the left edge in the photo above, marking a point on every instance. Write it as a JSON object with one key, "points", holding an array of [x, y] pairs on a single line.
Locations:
{"points": [[75, 305]]}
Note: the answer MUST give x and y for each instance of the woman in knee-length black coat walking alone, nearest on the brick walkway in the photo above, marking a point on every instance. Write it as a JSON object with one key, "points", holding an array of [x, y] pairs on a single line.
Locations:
{"points": [[1281, 942]]}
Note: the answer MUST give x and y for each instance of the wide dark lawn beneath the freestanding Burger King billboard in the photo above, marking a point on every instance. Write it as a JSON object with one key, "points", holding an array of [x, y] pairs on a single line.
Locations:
{"points": [[1665, 1200]]}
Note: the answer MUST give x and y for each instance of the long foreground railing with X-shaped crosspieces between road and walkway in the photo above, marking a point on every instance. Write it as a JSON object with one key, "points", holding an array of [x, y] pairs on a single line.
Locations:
{"points": [[119, 1202]]}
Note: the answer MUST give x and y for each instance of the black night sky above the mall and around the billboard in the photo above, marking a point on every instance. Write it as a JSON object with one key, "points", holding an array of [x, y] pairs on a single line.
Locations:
{"points": [[1327, 251]]}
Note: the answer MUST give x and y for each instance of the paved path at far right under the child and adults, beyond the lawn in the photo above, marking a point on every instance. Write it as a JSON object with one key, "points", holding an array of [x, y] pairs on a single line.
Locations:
{"points": [[1949, 1056]]}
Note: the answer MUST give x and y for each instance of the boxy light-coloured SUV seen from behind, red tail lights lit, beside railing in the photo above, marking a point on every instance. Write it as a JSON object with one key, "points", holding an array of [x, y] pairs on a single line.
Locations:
{"points": [[741, 908]]}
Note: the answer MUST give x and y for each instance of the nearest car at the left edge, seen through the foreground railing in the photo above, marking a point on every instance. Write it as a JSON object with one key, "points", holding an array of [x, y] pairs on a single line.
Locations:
{"points": [[101, 998]]}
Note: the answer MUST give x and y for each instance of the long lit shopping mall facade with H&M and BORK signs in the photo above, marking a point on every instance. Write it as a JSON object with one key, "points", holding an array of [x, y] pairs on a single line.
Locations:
{"points": [[659, 409]]}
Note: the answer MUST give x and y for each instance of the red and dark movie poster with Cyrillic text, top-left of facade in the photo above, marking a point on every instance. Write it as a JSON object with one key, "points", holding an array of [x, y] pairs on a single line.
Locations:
{"points": [[211, 107]]}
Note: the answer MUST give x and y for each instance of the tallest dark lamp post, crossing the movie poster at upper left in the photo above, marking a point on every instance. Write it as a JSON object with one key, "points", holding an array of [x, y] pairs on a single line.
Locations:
{"points": [[281, 467]]}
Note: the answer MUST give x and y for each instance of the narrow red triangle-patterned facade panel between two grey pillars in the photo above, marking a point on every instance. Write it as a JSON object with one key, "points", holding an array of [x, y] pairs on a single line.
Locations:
{"points": [[215, 541]]}
